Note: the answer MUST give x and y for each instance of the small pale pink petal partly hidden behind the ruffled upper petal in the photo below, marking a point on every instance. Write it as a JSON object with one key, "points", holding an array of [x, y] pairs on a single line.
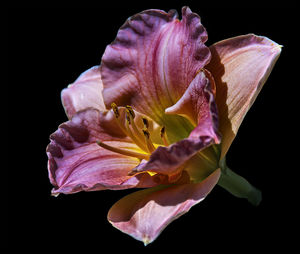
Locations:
{"points": [[84, 93]]}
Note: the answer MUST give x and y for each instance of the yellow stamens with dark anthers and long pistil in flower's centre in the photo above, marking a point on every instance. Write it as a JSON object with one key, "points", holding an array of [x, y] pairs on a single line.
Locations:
{"points": [[140, 136]]}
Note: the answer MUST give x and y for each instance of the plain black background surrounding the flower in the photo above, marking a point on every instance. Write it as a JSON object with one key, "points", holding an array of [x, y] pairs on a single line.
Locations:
{"points": [[49, 48]]}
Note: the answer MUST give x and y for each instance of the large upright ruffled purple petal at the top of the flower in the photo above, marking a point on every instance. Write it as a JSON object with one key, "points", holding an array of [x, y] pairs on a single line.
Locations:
{"points": [[153, 60]]}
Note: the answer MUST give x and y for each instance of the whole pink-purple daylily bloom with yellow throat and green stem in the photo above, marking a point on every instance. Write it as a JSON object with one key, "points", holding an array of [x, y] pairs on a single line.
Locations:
{"points": [[160, 112]]}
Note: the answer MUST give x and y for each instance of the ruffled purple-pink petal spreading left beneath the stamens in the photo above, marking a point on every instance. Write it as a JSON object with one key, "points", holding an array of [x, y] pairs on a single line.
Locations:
{"points": [[77, 163]]}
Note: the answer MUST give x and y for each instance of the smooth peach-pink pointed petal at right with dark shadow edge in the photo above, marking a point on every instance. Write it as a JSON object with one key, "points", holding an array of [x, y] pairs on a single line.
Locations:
{"points": [[240, 67]]}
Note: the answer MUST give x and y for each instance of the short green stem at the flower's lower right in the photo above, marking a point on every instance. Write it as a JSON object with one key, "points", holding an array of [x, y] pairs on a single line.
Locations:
{"points": [[239, 186]]}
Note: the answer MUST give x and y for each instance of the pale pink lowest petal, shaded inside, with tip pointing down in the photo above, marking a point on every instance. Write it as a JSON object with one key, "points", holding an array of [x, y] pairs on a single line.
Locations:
{"points": [[144, 214]]}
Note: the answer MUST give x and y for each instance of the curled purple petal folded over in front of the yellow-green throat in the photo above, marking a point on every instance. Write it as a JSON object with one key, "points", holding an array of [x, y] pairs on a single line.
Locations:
{"points": [[197, 104]]}
